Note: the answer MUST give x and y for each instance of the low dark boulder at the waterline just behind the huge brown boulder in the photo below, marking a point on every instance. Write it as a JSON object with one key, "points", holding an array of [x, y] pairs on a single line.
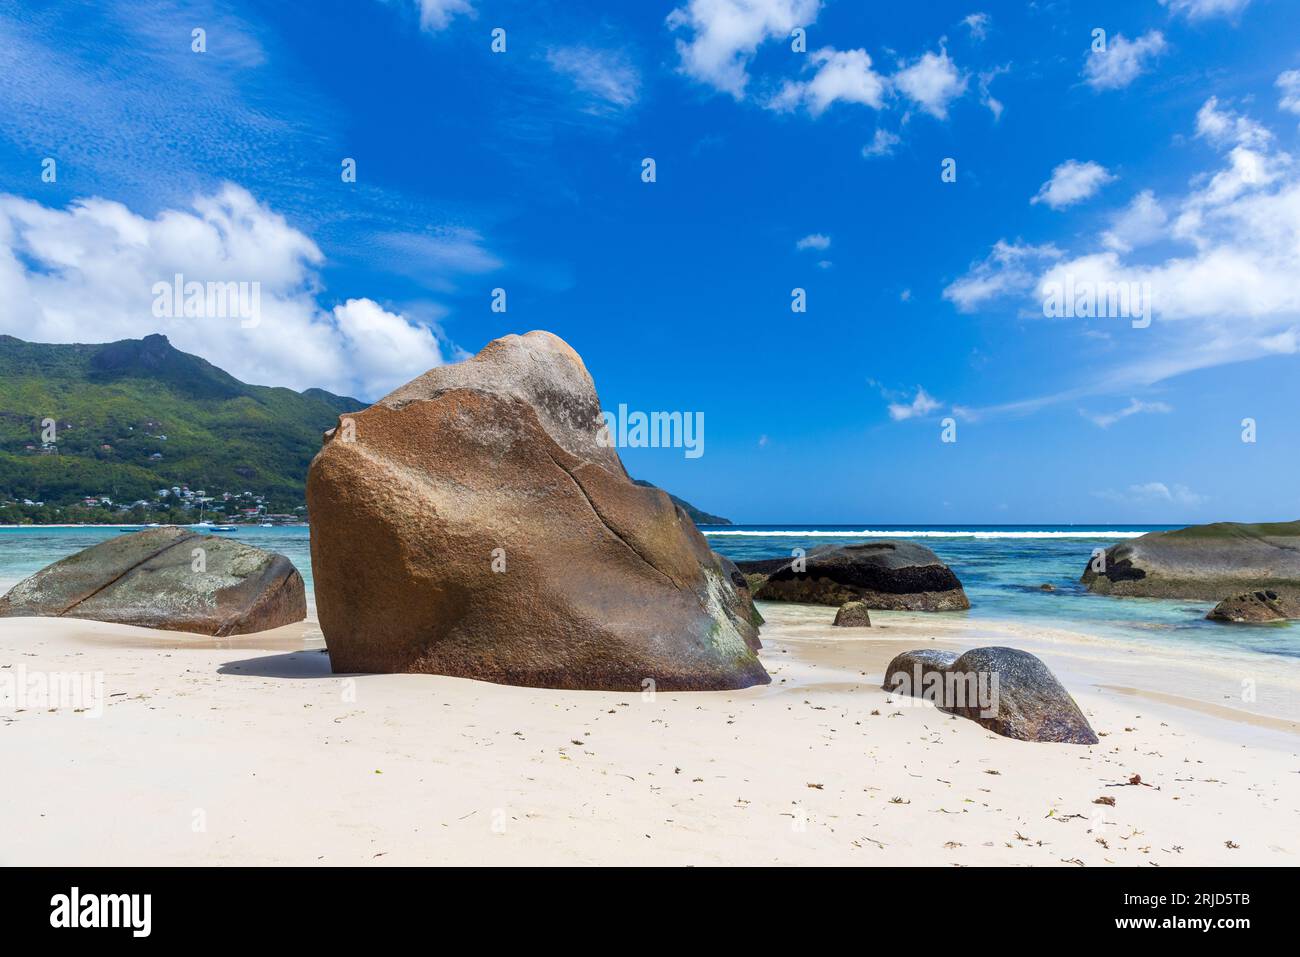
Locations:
{"points": [[896, 575]]}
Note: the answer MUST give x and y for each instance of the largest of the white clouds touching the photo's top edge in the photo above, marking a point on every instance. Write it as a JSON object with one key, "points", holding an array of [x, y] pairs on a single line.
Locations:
{"points": [[726, 34]]}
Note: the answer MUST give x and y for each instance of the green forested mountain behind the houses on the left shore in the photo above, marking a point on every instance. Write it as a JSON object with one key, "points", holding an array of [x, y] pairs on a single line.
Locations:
{"points": [[136, 417]]}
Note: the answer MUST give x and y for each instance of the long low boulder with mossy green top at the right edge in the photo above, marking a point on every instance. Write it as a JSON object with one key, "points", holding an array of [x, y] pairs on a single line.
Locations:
{"points": [[1204, 562]]}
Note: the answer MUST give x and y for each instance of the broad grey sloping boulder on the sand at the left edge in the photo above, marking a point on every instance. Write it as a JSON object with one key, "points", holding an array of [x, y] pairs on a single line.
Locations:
{"points": [[167, 578]]}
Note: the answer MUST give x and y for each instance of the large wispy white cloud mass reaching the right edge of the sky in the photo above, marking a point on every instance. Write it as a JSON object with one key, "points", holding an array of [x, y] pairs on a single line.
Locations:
{"points": [[1225, 292]]}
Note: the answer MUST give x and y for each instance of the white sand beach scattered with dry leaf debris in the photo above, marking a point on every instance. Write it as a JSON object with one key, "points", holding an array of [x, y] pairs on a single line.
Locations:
{"points": [[250, 752]]}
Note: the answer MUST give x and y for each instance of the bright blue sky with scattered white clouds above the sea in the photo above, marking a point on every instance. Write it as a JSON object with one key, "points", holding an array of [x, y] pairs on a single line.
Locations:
{"points": [[1167, 158]]}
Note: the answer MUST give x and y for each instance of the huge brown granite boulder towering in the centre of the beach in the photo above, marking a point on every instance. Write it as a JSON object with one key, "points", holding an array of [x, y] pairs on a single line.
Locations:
{"points": [[478, 523]]}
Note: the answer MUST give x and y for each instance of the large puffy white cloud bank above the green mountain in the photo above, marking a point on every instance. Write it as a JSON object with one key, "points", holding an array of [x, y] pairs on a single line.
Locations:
{"points": [[88, 274]]}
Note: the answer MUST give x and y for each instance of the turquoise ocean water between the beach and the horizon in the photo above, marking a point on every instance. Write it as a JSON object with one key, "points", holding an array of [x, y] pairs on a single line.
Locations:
{"points": [[1002, 568]]}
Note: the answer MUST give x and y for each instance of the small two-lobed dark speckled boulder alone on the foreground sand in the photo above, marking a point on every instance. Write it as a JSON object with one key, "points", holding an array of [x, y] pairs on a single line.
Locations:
{"points": [[1004, 690]]}
